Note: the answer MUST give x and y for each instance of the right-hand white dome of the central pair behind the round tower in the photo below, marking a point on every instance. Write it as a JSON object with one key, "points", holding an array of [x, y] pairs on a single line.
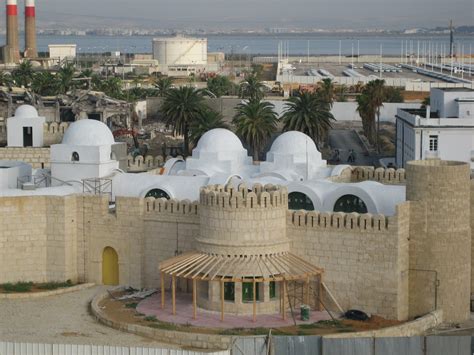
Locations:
{"points": [[293, 143]]}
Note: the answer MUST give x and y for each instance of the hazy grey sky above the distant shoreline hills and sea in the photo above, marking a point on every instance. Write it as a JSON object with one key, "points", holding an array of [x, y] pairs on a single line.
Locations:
{"points": [[262, 13]]}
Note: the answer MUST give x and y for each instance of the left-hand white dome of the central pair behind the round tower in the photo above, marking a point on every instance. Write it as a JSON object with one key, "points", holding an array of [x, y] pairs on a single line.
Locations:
{"points": [[219, 140]]}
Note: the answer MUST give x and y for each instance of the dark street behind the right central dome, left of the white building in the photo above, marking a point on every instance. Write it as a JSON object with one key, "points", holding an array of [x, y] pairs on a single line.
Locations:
{"points": [[344, 140]]}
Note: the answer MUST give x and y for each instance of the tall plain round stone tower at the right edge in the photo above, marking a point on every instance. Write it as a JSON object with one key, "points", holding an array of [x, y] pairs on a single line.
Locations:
{"points": [[440, 235]]}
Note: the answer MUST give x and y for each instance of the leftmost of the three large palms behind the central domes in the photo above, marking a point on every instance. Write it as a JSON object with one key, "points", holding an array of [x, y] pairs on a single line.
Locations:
{"points": [[181, 107]]}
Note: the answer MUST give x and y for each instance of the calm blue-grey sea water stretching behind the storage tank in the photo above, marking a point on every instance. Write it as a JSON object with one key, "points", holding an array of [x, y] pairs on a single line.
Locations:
{"points": [[263, 44]]}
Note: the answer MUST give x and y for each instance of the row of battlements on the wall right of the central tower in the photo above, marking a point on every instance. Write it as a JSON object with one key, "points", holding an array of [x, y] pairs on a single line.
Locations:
{"points": [[338, 220]]}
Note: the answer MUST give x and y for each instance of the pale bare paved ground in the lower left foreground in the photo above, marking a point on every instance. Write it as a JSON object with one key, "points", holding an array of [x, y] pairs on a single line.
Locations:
{"points": [[62, 319]]}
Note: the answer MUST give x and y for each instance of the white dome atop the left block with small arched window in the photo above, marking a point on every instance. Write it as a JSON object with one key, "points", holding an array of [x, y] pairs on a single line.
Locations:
{"points": [[89, 133]]}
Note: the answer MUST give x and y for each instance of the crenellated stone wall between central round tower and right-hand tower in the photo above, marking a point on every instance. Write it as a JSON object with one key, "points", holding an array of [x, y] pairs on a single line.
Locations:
{"points": [[365, 257]]}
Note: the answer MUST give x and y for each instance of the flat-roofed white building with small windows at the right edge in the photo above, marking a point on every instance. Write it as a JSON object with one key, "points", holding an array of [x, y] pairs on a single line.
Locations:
{"points": [[443, 130]]}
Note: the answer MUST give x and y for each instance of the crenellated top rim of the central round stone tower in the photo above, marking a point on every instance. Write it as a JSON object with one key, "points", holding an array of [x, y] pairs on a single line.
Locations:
{"points": [[242, 197]]}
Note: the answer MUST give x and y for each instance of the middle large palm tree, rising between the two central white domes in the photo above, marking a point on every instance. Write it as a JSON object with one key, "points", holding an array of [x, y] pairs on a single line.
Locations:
{"points": [[255, 122]]}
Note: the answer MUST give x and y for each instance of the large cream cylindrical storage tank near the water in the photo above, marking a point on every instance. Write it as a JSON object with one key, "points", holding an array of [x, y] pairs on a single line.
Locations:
{"points": [[180, 50]]}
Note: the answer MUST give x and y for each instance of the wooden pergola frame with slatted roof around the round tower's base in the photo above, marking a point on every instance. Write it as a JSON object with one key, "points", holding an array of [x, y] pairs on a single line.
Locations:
{"points": [[198, 266]]}
